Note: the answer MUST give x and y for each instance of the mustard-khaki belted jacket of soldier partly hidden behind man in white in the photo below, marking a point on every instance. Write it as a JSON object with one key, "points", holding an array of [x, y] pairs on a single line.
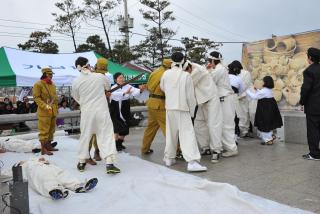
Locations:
{"points": [[153, 87]]}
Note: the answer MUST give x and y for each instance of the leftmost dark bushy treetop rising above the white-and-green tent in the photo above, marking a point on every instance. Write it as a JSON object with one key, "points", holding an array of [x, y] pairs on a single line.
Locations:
{"points": [[39, 42]]}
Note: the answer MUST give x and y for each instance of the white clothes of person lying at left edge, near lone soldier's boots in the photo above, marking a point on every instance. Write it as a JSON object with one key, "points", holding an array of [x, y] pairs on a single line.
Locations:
{"points": [[18, 145]]}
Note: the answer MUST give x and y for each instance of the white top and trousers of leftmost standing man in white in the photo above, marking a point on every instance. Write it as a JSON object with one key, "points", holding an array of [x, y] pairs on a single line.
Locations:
{"points": [[88, 89]]}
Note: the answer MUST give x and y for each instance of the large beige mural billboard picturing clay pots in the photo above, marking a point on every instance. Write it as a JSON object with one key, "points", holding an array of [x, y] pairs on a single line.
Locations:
{"points": [[284, 58]]}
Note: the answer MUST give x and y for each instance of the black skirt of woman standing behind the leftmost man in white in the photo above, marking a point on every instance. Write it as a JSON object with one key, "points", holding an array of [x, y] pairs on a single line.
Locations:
{"points": [[120, 126]]}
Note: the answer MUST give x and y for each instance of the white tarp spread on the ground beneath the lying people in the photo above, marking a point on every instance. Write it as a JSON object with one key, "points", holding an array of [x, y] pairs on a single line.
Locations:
{"points": [[143, 187]]}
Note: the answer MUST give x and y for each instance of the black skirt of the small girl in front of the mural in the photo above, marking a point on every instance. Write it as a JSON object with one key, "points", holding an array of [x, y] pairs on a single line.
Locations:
{"points": [[268, 116]]}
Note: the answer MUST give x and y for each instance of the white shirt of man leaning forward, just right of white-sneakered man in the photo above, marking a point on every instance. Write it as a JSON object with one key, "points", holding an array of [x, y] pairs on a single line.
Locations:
{"points": [[205, 88]]}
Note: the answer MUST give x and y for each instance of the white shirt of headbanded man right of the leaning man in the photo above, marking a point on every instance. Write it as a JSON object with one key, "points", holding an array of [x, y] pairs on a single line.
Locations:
{"points": [[220, 76]]}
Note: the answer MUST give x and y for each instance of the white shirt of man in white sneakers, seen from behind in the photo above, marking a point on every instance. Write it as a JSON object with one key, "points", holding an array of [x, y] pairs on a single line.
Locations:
{"points": [[178, 88]]}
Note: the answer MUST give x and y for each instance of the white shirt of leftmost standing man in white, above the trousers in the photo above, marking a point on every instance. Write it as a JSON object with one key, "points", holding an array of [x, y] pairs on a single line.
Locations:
{"points": [[88, 89]]}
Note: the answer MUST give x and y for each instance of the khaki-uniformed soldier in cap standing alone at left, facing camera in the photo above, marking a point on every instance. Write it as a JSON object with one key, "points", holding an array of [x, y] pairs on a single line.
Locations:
{"points": [[44, 94]]}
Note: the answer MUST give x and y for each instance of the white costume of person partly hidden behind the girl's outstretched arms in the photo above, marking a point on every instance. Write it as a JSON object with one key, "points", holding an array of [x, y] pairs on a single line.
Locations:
{"points": [[247, 105]]}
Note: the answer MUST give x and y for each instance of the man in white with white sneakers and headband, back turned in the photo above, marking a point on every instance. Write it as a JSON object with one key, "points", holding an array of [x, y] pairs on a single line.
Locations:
{"points": [[180, 108]]}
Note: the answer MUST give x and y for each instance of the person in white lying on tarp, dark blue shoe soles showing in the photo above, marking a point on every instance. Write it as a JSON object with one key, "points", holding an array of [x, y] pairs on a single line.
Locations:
{"points": [[51, 181]]}
